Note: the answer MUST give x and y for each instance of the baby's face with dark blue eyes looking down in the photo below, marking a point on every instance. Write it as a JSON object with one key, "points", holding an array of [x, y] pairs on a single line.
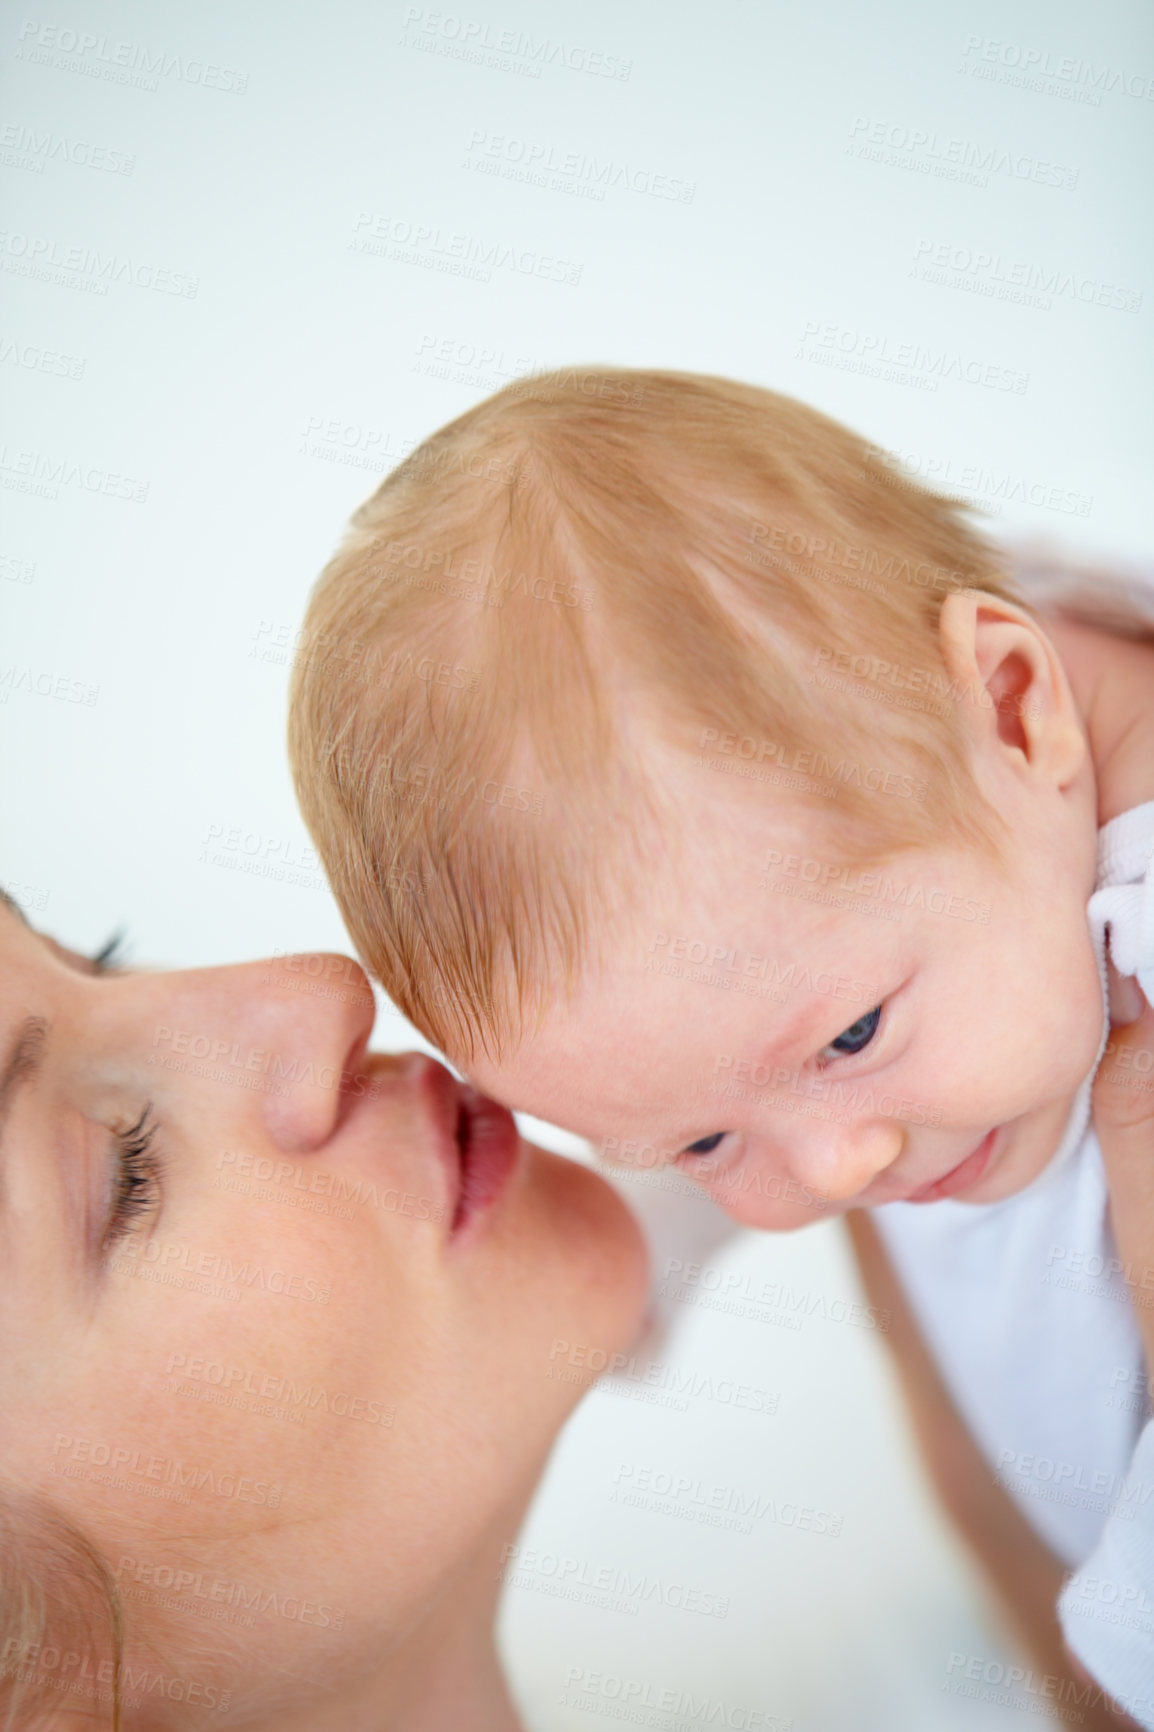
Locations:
{"points": [[805, 1040]]}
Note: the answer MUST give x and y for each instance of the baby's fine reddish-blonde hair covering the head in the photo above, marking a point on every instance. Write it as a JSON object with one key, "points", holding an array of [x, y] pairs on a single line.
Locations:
{"points": [[581, 564]]}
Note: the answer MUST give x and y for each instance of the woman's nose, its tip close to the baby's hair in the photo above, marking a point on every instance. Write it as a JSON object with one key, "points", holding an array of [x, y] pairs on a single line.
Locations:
{"points": [[288, 1035]]}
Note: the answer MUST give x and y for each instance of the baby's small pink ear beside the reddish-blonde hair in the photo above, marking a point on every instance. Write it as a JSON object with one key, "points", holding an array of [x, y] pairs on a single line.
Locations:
{"points": [[1013, 685]]}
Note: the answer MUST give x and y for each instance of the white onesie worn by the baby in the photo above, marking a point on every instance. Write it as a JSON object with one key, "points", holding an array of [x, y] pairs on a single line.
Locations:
{"points": [[1027, 1309]]}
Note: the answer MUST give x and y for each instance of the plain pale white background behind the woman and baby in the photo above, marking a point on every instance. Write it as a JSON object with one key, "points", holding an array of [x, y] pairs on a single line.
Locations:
{"points": [[256, 411]]}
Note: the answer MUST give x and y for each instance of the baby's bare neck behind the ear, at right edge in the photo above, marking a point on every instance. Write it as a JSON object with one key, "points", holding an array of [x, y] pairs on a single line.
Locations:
{"points": [[1113, 685]]}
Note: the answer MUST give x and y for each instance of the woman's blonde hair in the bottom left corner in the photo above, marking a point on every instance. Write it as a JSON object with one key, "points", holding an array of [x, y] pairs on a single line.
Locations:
{"points": [[62, 1625]]}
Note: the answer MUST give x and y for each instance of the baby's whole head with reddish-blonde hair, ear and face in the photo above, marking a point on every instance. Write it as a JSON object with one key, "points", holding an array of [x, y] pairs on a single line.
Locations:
{"points": [[699, 785]]}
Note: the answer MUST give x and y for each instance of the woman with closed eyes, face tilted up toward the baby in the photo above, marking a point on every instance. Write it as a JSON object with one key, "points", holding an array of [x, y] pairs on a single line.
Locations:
{"points": [[276, 1366]]}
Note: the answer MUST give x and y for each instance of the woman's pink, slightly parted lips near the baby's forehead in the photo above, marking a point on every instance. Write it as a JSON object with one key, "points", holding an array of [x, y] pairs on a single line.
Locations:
{"points": [[477, 1144]]}
